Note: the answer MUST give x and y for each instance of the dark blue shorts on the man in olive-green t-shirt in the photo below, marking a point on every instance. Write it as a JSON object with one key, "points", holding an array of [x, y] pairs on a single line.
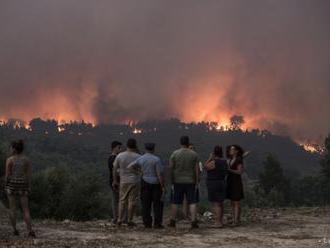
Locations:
{"points": [[180, 190]]}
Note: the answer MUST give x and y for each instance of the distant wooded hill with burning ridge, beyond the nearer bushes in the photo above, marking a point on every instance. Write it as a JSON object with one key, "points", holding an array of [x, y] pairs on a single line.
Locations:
{"points": [[80, 144]]}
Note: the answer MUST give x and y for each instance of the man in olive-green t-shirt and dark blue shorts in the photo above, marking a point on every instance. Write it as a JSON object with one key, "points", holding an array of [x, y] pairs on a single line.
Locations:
{"points": [[184, 168]]}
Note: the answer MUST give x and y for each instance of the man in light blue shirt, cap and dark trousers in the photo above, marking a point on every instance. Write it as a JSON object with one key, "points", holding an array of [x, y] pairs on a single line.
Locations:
{"points": [[152, 186]]}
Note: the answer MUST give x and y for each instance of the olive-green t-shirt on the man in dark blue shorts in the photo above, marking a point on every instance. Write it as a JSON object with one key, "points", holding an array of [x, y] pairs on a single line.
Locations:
{"points": [[184, 162]]}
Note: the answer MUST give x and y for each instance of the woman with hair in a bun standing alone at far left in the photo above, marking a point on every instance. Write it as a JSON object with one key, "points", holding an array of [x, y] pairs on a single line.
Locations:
{"points": [[18, 184]]}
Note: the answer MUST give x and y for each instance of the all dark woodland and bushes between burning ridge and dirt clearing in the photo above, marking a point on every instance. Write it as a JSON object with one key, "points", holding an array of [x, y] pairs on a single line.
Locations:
{"points": [[70, 173]]}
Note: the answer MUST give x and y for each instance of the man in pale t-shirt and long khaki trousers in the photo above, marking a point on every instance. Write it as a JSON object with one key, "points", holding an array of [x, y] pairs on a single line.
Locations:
{"points": [[129, 185]]}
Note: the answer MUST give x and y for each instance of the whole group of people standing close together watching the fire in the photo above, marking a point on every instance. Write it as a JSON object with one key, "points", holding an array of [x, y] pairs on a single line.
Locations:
{"points": [[135, 177]]}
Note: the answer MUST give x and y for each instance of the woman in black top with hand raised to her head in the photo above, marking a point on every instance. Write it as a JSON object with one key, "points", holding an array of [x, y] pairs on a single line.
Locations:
{"points": [[216, 168]]}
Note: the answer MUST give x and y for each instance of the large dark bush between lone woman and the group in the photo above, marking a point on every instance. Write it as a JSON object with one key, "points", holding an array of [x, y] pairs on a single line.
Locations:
{"points": [[58, 193]]}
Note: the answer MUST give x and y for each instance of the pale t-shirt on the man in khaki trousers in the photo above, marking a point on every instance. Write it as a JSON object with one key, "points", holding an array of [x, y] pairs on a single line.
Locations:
{"points": [[122, 161]]}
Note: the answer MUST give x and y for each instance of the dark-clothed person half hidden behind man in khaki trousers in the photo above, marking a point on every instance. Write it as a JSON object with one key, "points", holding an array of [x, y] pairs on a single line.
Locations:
{"points": [[115, 150]]}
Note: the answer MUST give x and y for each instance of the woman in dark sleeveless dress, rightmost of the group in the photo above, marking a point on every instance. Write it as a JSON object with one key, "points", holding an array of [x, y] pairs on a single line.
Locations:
{"points": [[234, 180]]}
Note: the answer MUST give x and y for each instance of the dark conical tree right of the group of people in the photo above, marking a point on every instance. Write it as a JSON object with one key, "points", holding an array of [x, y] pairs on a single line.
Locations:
{"points": [[272, 178]]}
